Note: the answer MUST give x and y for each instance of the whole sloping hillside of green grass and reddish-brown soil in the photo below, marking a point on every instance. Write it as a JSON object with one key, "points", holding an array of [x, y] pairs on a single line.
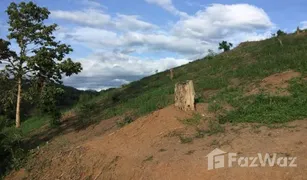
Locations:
{"points": [[246, 99]]}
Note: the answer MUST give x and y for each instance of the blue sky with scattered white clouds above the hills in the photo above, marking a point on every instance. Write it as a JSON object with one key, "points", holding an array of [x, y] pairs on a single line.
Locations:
{"points": [[119, 41]]}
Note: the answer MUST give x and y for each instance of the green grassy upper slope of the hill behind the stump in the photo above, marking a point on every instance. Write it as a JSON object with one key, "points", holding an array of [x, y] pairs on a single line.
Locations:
{"points": [[250, 62]]}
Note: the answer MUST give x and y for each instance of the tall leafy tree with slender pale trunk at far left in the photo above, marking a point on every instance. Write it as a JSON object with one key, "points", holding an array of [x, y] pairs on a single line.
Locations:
{"points": [[40, 57]]}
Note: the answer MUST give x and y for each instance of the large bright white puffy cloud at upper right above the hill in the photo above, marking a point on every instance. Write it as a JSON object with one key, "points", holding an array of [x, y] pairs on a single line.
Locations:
{"points": [[219, 20]]}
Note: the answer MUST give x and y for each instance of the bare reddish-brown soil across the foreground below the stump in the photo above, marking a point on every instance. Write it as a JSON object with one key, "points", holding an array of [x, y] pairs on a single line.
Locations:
{"points": [[150, 148]]}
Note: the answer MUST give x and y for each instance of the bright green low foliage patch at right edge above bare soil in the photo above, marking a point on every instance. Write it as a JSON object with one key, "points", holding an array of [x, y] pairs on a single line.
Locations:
{"points": [[268, 109]]}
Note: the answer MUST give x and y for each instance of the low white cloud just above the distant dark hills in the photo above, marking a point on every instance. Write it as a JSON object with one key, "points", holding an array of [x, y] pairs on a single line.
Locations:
{"points": [[118, 64]]}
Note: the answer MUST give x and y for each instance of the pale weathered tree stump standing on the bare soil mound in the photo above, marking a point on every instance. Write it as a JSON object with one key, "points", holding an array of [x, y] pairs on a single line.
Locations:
{"points": [[185, 96]]}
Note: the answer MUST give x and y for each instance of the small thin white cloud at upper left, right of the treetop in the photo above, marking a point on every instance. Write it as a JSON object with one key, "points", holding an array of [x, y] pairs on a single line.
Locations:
{"points": [[90, 17]]}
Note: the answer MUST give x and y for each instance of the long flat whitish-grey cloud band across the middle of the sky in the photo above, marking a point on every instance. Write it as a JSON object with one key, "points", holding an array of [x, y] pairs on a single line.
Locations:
{"points": [[130, 41]]}
